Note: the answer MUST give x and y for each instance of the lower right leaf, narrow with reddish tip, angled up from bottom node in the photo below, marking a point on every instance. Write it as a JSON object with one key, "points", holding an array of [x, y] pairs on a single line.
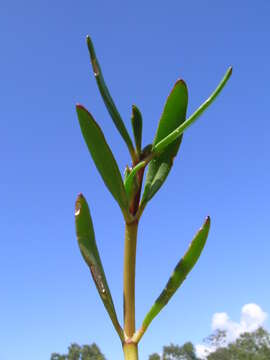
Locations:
{"points": [[181, 271]]}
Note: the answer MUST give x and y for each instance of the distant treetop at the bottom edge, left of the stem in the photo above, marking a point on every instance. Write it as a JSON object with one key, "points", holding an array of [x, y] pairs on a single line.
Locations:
{"points": [[77, 352]]}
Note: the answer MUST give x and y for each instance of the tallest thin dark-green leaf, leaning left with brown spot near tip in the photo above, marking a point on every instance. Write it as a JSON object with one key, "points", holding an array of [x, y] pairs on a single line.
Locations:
{"points": [[106, 96]]}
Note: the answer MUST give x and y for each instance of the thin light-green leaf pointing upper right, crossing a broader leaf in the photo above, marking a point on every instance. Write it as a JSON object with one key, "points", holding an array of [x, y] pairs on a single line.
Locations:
{"points": [[166, 142]]}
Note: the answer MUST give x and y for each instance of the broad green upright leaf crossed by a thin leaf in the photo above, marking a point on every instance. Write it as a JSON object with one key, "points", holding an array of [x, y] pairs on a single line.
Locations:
{"points": [[174, 114]]}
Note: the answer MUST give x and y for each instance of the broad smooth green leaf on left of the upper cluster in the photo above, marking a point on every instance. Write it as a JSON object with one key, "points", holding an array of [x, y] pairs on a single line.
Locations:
{"points": [[103, 158]]}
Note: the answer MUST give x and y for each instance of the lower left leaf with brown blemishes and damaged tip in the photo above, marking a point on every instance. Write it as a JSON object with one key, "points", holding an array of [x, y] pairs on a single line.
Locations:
{"points": [[89, 251]]}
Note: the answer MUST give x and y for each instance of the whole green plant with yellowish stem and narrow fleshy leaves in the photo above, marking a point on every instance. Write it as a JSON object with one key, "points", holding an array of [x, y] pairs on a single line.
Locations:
{"points": [[127, 191]]}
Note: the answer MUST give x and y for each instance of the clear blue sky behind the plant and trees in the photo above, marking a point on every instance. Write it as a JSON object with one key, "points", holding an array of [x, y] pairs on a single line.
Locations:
{"points": [[47, 296]]}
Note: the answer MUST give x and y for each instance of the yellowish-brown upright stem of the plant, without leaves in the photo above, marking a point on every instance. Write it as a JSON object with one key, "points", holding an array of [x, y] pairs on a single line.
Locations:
{"points": [[130, 349]]}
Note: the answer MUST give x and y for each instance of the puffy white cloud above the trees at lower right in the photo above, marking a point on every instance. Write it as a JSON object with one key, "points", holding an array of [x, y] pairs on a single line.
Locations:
{"points": [[252, 317]]}
